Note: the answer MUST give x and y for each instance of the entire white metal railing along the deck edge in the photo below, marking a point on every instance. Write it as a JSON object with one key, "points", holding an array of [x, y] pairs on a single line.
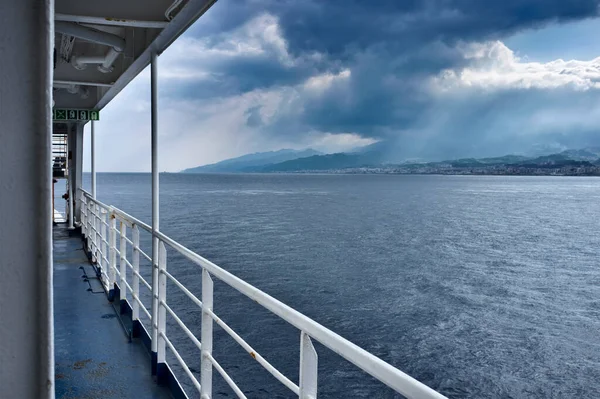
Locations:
{"points": [[94, 215]]}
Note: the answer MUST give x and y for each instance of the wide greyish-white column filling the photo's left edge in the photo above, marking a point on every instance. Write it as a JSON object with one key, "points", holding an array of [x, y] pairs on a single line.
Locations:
{"points": [[26, 333]]}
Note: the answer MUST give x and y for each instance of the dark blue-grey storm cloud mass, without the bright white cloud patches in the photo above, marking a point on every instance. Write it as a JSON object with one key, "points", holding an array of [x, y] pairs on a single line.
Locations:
{"points": [[391, 48]]}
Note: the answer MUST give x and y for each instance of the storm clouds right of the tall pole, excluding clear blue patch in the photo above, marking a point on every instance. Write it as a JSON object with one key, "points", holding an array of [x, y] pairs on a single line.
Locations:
{"points": [[432, 78]]}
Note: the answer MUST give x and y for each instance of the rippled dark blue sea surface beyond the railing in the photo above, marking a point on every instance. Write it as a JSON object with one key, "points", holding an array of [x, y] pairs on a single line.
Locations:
{"points": [[480, 287]]}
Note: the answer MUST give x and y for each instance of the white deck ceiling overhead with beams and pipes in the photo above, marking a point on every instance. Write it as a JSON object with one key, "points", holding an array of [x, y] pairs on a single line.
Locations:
{"points": [[141, 24]]}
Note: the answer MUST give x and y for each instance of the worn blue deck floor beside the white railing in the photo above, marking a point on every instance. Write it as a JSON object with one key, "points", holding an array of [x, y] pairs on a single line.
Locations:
{"points": [[93, 356]]}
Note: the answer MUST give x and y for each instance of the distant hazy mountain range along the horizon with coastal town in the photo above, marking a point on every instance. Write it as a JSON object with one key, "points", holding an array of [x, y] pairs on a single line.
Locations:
{"points": [[374, 156]]}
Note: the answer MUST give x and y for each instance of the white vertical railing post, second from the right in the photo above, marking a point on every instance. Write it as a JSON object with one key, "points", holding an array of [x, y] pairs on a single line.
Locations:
{"points": [[206, 337]]}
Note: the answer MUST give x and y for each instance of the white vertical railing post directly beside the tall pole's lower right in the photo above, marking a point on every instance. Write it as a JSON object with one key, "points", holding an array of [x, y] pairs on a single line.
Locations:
{"points": [[162, 315]]}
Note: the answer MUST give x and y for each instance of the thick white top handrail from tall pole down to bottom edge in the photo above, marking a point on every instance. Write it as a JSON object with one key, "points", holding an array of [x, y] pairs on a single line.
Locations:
{"points": [[369, 363]]}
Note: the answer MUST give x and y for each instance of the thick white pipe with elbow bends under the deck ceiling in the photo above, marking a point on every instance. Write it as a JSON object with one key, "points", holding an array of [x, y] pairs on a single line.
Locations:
{"points": [[116, 43]]}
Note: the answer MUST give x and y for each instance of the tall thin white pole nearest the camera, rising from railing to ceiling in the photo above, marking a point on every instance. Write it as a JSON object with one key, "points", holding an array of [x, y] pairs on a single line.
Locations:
{"points": [[155, 204]]}
